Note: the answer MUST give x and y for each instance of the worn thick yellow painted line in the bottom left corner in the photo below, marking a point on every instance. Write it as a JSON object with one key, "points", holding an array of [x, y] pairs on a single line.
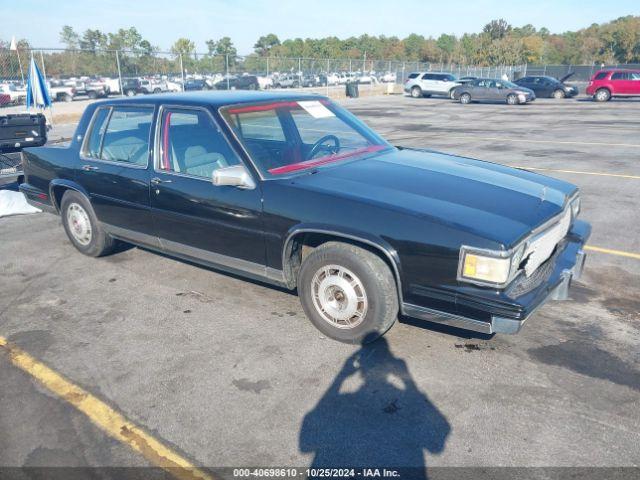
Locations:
{"points": [[106, 418]]}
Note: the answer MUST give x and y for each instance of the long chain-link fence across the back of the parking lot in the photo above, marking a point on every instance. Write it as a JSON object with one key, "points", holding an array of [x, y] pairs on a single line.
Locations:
{"points": [[110, 72]]}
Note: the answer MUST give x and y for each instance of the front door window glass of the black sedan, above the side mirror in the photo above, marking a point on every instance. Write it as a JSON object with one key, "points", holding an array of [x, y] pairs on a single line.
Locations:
{"points": [[191, 144]]}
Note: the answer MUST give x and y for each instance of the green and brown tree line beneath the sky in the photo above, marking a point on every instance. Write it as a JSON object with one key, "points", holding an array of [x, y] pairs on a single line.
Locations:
{"points": [[498, 43]]}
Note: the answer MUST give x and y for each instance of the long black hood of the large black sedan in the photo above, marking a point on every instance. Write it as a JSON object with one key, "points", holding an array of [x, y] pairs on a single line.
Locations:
{"points": [[498, 203]]}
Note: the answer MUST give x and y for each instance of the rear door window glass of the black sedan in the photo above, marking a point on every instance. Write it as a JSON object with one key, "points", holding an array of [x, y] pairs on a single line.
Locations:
{"points": [[120, 134]]}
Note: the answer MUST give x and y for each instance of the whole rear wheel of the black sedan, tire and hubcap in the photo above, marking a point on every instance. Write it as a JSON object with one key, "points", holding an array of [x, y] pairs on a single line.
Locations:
{"points": [[82, 226]]}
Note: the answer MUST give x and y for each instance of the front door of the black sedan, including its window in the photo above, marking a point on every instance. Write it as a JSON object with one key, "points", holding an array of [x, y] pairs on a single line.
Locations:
{"points": [[193, 218]]}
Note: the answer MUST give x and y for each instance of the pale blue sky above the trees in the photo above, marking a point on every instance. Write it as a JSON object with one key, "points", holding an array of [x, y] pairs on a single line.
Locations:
{"points": [[162, 22]]}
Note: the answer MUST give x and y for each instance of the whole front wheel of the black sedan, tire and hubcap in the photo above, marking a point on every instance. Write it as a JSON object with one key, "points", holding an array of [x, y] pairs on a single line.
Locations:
{"points": [[364, 276]]}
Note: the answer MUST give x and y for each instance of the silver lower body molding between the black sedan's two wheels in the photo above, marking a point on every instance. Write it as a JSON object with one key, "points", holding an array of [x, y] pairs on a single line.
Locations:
{"points": [[212, 259]]}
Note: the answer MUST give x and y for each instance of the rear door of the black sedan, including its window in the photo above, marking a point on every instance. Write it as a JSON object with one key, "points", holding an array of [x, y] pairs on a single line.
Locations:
{"points": [[113, 169]]}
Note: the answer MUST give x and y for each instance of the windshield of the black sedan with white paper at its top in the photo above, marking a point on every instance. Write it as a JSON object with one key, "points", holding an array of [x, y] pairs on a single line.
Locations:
{"points": [[285, 137]]}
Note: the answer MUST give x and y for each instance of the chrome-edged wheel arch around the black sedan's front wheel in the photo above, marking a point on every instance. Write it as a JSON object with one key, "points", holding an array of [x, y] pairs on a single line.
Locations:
{"points": [[312, 236]]}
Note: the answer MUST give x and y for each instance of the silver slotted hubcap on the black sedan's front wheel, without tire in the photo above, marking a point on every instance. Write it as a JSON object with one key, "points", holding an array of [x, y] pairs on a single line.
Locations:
{"points": [[339, 296]]}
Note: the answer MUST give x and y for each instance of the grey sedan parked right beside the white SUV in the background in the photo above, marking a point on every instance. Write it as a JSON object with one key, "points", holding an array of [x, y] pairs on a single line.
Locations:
{"points": [[492, 91]]}
